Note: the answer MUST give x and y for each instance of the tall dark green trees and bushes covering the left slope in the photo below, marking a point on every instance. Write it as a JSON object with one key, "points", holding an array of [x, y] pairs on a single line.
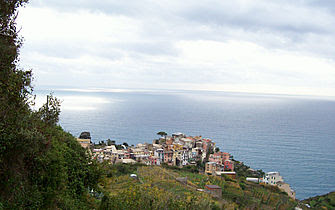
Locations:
{"points": [[41, 166]]}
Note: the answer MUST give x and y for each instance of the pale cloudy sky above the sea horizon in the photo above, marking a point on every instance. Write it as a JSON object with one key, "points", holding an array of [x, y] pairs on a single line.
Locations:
{"points": [[261, 46]]}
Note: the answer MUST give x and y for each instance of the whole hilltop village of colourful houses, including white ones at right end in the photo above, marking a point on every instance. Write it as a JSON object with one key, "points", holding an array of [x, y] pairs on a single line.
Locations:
{"points": [[176, 150]]}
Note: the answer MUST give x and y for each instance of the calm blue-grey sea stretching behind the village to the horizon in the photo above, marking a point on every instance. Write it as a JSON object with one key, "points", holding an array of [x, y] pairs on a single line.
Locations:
{"points": [[292, 135]]}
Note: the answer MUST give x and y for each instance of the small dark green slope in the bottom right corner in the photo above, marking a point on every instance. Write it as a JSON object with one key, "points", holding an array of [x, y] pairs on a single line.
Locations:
{"points": [[326, 201]]}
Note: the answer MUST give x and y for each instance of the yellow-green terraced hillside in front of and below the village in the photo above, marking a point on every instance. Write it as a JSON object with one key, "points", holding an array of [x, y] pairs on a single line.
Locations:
{"points": [[156, 187]]}
